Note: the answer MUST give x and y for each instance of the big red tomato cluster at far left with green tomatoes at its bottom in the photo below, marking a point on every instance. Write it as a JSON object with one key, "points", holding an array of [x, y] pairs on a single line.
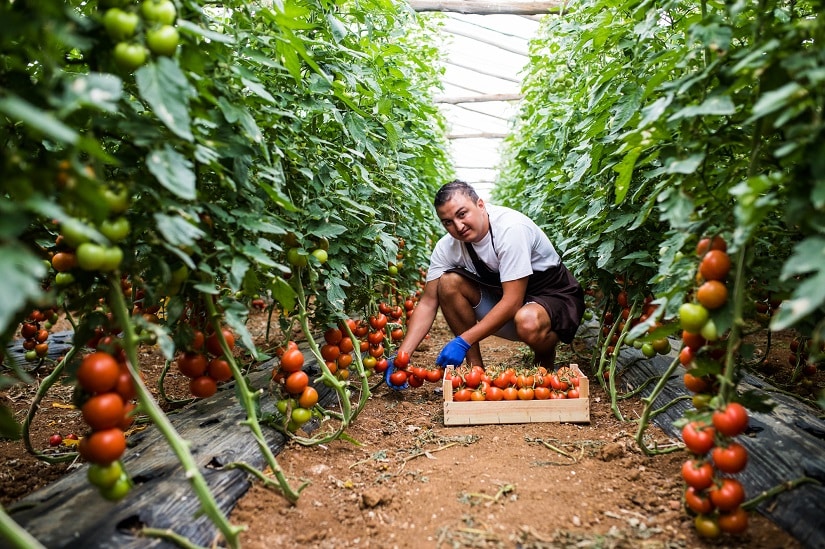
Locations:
{"points": [[105, 396]]}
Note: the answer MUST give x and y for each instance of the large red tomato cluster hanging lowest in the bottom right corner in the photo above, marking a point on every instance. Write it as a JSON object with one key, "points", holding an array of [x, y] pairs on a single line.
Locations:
{"points": [[712, 494]]}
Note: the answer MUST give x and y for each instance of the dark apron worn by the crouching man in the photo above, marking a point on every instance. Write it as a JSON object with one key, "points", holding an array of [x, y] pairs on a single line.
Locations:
{"points": [[555, 289]]}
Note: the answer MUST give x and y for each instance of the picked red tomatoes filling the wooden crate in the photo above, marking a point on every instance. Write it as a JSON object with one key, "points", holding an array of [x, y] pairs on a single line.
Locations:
{"points": [[477, 384]]}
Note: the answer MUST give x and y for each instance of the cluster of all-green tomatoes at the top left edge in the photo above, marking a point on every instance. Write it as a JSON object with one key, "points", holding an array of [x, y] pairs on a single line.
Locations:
{"points": [[122, 20]]}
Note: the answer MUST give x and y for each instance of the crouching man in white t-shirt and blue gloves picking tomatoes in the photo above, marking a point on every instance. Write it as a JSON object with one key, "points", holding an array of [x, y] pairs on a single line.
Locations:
{"points": [[494, 272]]}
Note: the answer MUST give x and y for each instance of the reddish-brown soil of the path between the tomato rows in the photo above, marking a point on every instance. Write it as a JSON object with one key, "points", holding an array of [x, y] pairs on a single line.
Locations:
{"points": [[405, 480]]}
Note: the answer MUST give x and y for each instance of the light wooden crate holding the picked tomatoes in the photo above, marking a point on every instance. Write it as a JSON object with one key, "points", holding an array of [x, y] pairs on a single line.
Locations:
{"points": [[572, 410]]}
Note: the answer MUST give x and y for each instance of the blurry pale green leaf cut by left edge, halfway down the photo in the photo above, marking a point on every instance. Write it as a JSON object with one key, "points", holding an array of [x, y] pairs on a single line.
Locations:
{"points": [[21, 272]]}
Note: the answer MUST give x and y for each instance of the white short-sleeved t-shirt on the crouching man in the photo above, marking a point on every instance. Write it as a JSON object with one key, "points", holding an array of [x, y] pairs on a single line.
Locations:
{"points": [[521, 248]]}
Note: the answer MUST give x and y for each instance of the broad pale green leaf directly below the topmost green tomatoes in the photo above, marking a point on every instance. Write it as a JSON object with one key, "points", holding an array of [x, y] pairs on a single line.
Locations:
{"points": [[164, 86]]}
